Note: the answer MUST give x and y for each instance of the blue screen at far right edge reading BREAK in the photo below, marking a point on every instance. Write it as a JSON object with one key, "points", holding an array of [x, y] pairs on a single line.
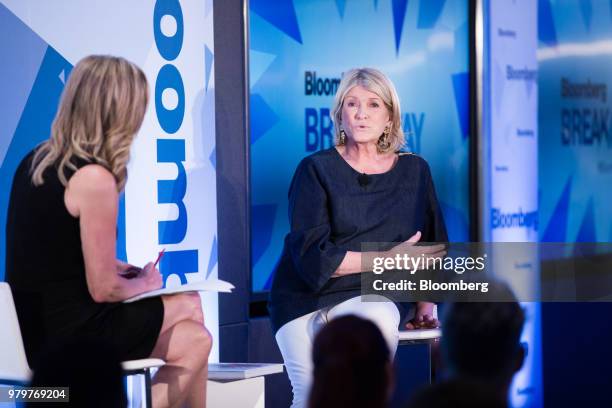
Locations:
{"points": [[575, 55]]}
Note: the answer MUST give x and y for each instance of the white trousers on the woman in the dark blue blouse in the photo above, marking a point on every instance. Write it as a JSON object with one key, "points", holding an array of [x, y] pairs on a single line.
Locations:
{"points": [[296, 337]]}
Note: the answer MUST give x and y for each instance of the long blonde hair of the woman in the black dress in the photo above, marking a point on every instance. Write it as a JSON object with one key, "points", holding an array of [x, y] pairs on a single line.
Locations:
{"points": [[100, 112]]}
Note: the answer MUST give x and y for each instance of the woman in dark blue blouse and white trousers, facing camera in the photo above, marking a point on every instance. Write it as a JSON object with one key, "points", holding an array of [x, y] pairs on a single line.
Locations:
{"points": [[362, 190]]}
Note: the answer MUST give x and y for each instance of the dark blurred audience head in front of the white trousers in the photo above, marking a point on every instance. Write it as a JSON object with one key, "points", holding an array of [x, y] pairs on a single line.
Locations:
{"points": [[351, 365]]}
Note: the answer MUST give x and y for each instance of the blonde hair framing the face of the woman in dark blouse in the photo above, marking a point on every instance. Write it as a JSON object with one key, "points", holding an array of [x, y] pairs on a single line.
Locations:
{"points": [[374, 81]]}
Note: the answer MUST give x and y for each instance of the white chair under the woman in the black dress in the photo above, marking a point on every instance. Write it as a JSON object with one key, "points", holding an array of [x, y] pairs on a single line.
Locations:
{"points": [[14, 368]]}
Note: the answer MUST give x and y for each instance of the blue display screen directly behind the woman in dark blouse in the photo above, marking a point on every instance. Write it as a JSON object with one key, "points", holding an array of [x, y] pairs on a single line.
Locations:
{"points": [[298, 52]]}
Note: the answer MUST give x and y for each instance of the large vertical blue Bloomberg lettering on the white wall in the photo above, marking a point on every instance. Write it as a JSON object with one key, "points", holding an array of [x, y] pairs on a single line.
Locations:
{"points": [[169, 42]]}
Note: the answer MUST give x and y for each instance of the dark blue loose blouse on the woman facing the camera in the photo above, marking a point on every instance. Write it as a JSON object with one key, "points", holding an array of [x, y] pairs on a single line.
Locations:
{"points": [[331, 212]]}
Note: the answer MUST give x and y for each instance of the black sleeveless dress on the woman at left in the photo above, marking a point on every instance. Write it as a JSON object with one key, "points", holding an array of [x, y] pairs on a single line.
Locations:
{"points": [[46, 272]]}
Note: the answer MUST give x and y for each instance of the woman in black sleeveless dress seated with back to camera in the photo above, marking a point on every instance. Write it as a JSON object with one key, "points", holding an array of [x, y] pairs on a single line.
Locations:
{"points": [[61, 236]]}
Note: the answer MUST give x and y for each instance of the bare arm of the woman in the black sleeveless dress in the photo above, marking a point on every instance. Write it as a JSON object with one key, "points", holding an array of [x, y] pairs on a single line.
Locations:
{"points": [[92, 196]]}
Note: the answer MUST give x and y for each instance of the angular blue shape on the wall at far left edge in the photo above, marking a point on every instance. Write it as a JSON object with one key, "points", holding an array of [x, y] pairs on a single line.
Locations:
{"points": [[32, 76]]}
